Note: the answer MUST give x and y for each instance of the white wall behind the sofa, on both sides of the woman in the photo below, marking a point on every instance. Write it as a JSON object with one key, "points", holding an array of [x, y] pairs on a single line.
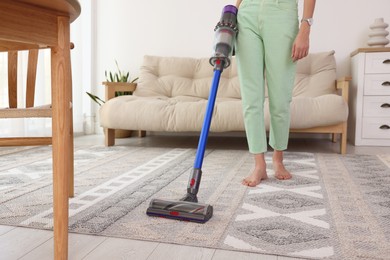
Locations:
{"points": [[128, 29]]}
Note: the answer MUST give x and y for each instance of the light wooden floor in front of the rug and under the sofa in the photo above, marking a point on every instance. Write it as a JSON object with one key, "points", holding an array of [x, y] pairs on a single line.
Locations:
{"points": [[33, 244]]}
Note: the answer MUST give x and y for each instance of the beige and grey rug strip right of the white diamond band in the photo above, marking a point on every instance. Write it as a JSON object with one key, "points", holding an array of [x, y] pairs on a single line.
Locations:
{"points": [[356, 187]]}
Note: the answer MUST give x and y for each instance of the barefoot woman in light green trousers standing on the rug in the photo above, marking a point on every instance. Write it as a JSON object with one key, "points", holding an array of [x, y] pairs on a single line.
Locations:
{"points": [[270, 40]]}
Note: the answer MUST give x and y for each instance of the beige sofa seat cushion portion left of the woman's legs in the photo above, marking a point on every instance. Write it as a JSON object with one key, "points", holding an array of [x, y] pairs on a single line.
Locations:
{"points": [[176, 114]]}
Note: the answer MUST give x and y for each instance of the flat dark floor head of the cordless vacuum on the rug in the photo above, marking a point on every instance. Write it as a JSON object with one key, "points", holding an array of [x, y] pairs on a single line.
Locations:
{"points": [[181, 210]]}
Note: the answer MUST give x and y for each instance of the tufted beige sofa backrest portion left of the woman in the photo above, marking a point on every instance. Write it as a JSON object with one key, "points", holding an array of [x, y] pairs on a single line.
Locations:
{"points": [[176, 76]]}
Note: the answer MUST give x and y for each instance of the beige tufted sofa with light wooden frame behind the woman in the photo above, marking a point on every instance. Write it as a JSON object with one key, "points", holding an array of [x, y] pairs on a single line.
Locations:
{"points": [[172, 92]]}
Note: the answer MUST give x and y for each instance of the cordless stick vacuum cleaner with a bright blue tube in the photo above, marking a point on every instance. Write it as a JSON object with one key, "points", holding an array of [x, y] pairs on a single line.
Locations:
{"points": [[188, 208]]}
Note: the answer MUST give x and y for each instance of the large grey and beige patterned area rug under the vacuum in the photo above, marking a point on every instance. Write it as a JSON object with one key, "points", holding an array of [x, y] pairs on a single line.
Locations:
{"points": [[335, 207]]}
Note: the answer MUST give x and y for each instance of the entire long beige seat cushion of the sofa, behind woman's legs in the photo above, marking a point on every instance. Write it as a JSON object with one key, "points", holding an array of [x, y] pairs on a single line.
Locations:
{"points": [[183, 113]]}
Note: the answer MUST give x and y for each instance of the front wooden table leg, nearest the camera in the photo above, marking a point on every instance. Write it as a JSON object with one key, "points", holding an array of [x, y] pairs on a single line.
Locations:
{"points": [[62, 136]]}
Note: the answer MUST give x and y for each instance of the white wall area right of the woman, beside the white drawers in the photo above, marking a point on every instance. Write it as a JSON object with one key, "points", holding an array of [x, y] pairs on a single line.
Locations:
{"points": [[343, 25]]}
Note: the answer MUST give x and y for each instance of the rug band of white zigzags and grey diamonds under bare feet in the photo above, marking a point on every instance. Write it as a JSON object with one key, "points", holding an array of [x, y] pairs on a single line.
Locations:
{"points": [[288, 216]]}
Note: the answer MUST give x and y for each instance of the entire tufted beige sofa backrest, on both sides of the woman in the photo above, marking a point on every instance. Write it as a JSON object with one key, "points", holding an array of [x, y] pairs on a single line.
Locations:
{"points": [[177, 76]]}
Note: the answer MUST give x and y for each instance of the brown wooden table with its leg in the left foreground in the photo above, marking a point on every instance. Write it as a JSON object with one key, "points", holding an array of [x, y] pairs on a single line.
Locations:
{"points": [[32, 24]]}
